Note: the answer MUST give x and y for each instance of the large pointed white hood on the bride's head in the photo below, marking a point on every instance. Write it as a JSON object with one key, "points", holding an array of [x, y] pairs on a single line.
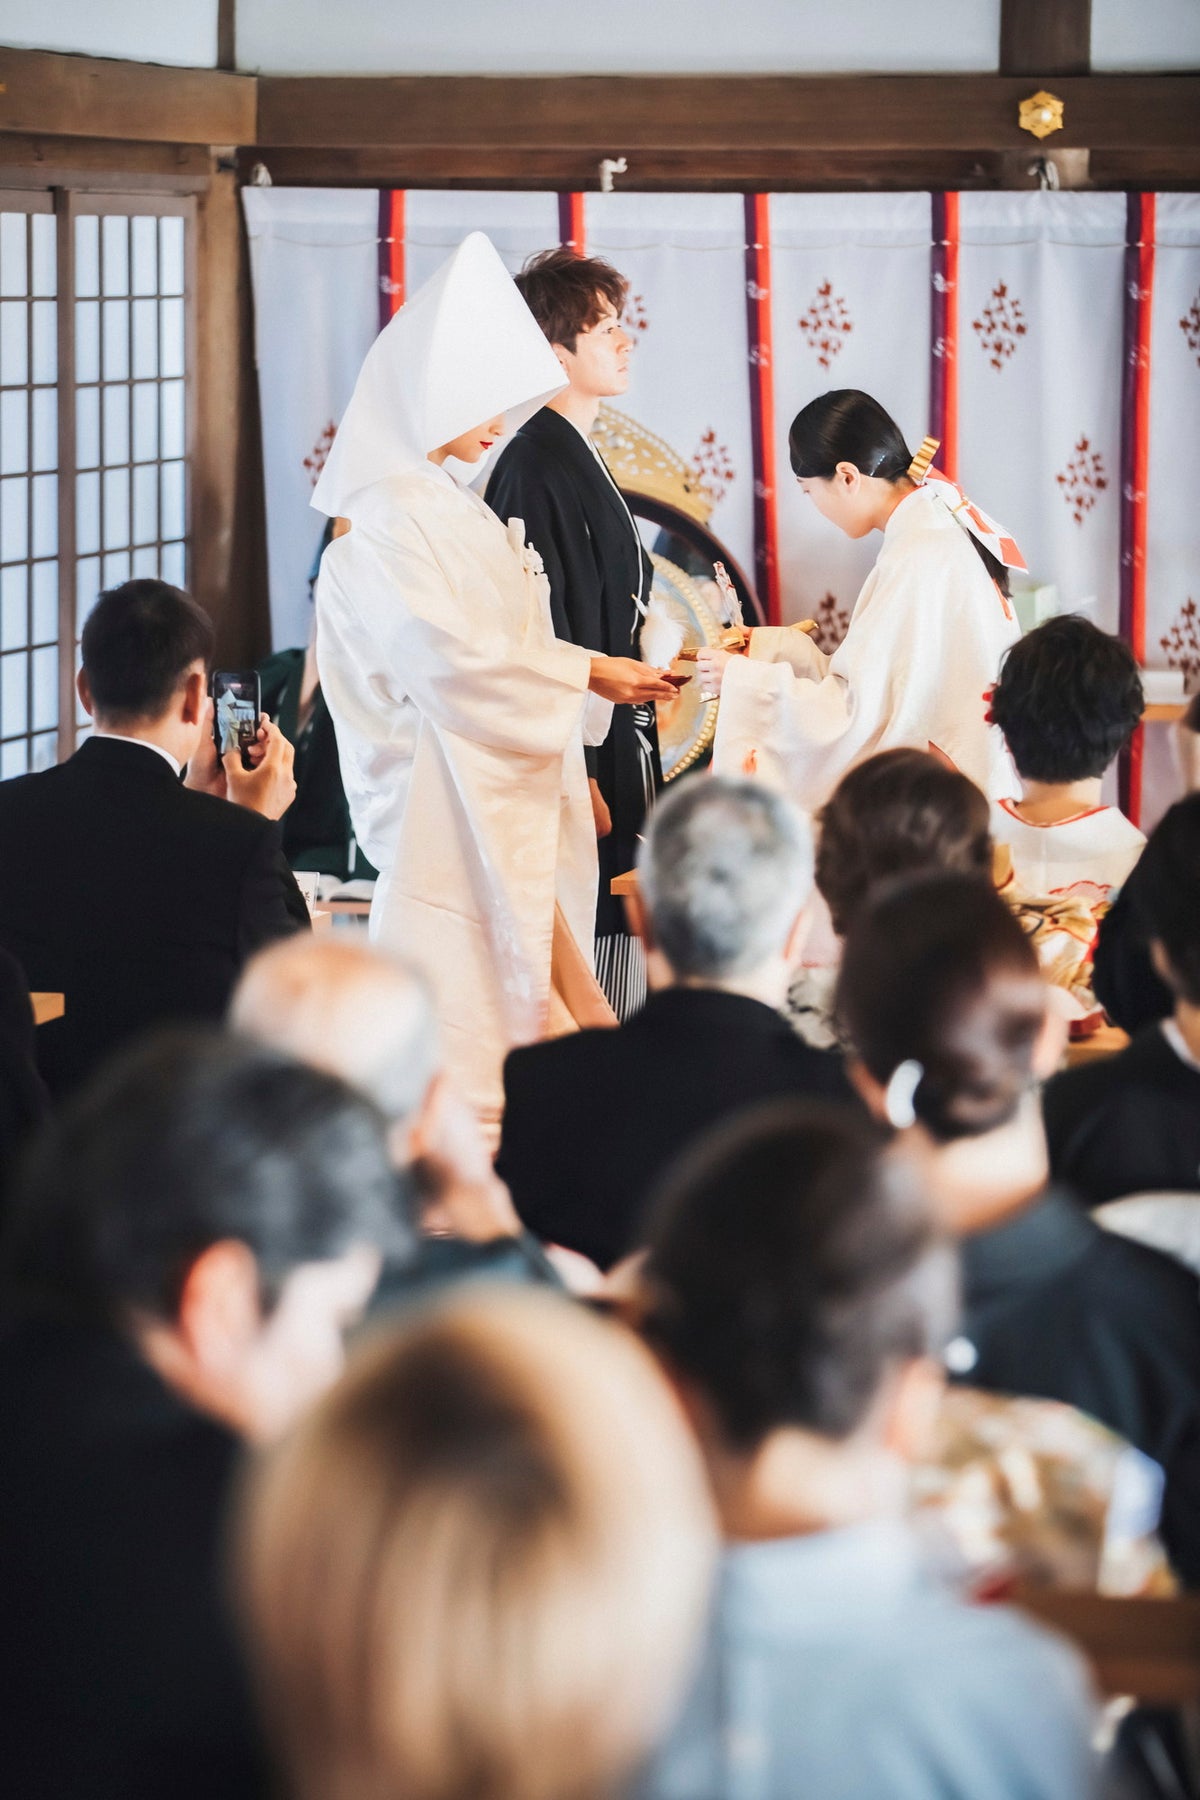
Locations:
{"points": [[461, 352]]}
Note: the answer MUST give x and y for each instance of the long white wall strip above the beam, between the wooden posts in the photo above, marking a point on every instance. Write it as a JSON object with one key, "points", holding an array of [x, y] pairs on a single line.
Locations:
{"points": [[614, 37]]}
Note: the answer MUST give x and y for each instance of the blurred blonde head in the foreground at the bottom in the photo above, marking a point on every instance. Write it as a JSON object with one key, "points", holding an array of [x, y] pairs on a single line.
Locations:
{"points": [[479, 1567]]}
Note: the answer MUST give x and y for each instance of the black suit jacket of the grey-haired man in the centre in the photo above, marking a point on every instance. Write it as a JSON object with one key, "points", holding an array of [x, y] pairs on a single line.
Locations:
{"points": [[595, 1119]]}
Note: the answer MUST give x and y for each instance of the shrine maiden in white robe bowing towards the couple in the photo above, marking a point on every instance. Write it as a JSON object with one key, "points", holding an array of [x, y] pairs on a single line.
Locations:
{"points": [[926, 636]]}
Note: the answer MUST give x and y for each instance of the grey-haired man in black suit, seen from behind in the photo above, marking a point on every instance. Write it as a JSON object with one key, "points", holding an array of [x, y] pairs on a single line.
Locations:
{"points": [[595, 1119]]}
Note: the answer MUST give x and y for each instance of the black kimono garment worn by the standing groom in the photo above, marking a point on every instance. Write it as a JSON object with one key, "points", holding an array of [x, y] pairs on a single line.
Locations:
{"points": [[577, 523]]}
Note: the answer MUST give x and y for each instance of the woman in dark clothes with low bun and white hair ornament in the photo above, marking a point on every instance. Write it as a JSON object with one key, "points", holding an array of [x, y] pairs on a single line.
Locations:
{"points": [[947, 1011]]}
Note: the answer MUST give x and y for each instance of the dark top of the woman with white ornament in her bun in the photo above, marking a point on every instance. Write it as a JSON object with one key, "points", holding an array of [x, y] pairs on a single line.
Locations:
{"points": [[1062, 1311]]}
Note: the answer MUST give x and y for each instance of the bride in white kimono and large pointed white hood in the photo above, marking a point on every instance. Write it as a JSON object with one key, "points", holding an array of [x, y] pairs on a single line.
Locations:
{"points": [[460, 715]]}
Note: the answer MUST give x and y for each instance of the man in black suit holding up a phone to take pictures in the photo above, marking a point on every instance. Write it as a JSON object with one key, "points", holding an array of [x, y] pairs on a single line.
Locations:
{"points": [[130, 892]]}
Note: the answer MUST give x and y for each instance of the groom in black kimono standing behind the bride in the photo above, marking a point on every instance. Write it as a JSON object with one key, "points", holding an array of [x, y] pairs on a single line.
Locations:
{"points": [[555, 480]]}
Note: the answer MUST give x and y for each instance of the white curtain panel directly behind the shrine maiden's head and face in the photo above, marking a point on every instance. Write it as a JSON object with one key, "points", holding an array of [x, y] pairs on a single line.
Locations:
{"points": [[850, 309]]}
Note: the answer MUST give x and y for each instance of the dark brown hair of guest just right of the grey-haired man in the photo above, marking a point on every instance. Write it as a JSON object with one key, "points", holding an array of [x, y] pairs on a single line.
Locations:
{"points": [[897, 814]]}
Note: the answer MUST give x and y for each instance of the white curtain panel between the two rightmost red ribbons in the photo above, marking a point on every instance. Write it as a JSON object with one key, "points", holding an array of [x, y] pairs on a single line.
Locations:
{"points": [[1041, 318]]}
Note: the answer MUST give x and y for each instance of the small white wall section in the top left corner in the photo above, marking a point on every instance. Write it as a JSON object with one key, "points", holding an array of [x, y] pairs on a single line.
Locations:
{"points": [[179, 31]]}
